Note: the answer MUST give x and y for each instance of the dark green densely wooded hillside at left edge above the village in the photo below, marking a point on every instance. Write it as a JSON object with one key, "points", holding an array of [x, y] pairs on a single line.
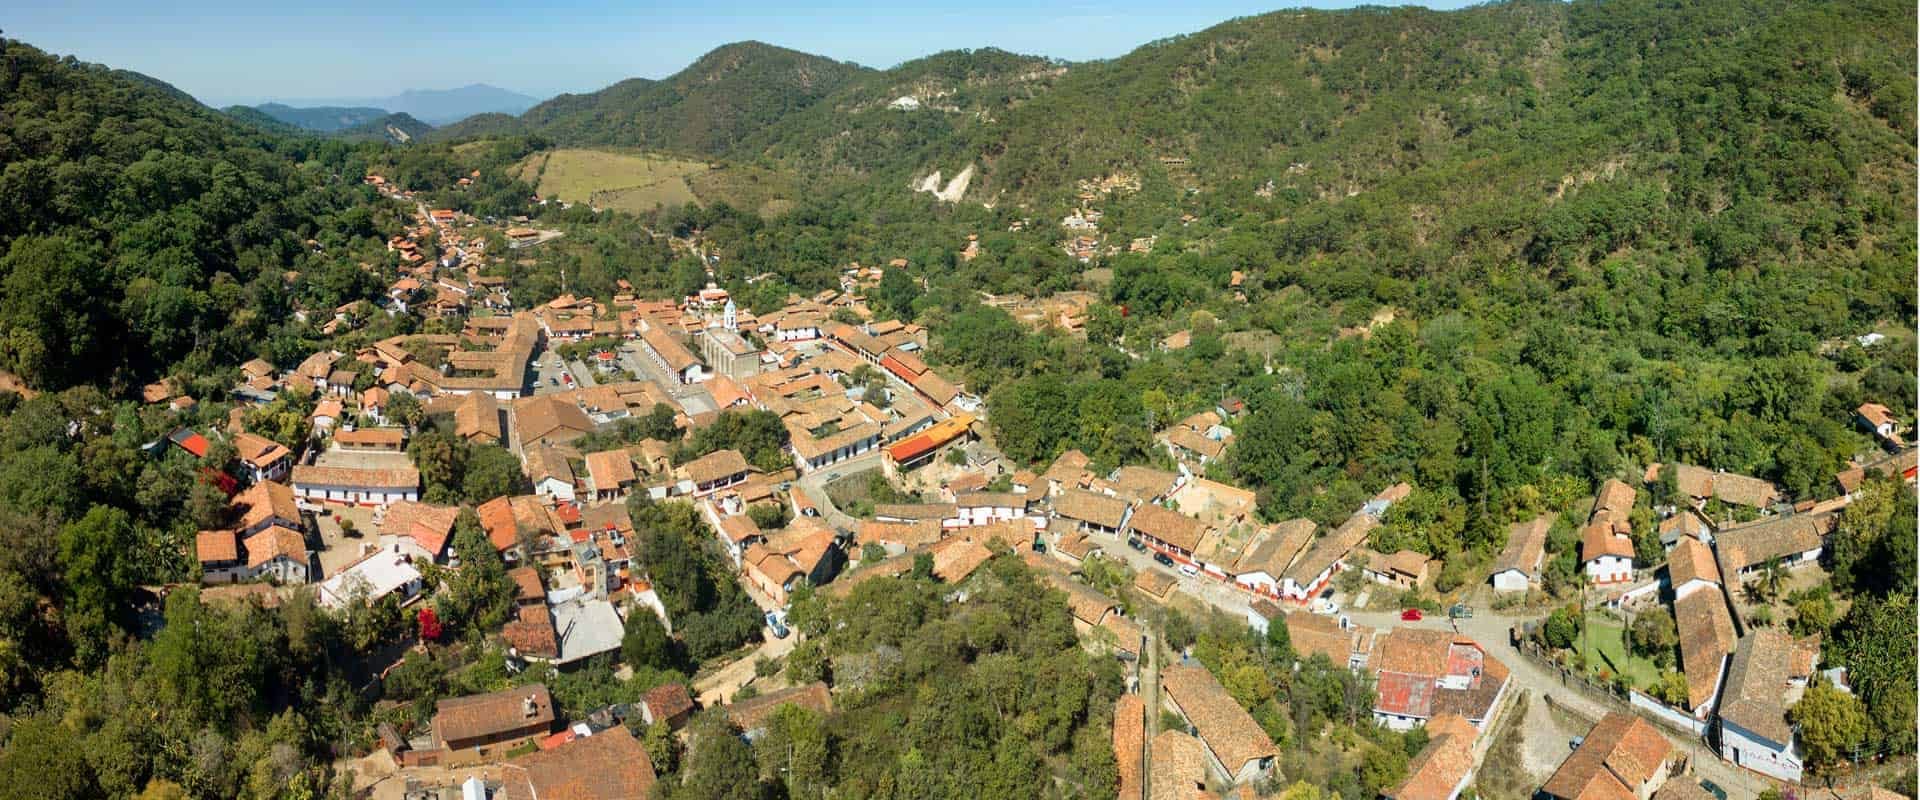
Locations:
{"points": [[141, 229]]}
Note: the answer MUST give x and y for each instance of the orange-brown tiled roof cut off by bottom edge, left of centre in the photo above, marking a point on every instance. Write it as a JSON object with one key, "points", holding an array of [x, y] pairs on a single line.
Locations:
{"points": [[606, 766]]}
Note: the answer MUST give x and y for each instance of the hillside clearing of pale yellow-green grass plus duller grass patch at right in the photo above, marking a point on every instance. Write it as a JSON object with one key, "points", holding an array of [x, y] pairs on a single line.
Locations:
{"points": [[633, 181]]}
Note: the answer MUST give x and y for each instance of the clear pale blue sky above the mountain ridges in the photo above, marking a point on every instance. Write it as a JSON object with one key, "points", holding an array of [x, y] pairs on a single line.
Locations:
{"points": [[231, 51]]}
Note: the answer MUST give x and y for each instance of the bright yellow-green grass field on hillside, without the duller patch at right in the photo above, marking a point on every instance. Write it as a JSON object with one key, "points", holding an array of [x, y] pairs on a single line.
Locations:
{"points": [[612, 181]]}
